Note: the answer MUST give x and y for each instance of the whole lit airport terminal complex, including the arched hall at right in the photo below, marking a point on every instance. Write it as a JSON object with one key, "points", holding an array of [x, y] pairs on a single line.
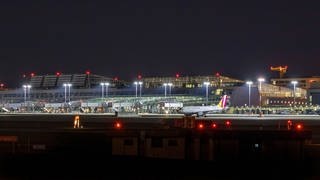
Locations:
{"points": [[152, 91]]}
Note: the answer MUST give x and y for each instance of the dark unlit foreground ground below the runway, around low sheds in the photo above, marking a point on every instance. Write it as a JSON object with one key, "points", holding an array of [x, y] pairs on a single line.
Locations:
{"points": [[85, 153]]}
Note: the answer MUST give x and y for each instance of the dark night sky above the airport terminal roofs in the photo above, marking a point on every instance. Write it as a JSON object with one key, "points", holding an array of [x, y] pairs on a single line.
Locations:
{"points": [[124, 38]]}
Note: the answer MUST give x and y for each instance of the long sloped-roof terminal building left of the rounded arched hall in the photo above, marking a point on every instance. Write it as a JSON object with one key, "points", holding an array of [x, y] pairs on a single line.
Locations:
{"points": [[50, 88]]}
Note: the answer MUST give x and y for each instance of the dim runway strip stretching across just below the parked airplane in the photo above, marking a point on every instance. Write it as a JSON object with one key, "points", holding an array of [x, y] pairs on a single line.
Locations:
{"points": [[103, 121]]}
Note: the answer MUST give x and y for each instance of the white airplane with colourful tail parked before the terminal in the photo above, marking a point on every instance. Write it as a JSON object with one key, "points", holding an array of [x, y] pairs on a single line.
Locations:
{"points": [[203, 110]]}
